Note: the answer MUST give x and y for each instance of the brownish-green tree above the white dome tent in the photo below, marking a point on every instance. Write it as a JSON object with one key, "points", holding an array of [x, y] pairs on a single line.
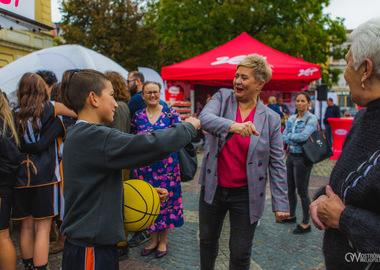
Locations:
{"points": [[113, 28]]}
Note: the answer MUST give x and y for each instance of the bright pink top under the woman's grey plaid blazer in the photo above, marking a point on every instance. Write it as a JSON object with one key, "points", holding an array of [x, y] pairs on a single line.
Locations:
{"points": [[232, 160]]}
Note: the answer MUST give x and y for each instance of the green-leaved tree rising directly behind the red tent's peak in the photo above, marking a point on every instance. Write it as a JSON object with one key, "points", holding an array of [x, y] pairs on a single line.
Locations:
{"points": [[187, 28]]}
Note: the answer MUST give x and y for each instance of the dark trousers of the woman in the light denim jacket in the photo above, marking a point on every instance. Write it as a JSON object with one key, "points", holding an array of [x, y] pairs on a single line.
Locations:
{"points": [[298, 170]]}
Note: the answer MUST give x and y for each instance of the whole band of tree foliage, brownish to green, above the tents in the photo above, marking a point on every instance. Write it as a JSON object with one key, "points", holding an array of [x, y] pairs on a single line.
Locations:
{"points": [[156, 33]]}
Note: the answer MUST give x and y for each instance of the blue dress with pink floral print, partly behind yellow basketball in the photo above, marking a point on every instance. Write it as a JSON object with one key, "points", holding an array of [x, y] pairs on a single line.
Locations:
{"points": [[163, 174]]}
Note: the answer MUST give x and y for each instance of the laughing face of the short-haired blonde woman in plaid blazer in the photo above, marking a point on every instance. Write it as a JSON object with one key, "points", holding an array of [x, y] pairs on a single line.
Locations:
{"points": [[245, 85]]}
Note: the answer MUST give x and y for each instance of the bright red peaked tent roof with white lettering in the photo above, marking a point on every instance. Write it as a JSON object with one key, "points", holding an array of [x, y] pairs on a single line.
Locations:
{"points": [[218, 66]]}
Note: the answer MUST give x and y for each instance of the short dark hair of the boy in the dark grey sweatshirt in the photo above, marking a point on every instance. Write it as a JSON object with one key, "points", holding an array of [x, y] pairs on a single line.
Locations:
{"points": [[78, 83]]}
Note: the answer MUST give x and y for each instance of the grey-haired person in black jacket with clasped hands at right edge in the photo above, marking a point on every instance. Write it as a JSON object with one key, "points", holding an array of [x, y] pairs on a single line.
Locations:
{"points": [[348, 209]]}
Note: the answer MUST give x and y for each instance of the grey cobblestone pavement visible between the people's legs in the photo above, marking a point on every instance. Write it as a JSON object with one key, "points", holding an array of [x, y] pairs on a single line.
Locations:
{"points": [[275, 247]]}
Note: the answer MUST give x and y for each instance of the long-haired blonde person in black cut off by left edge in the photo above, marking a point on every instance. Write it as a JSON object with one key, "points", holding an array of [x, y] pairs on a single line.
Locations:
{"points": [[9, 161]]}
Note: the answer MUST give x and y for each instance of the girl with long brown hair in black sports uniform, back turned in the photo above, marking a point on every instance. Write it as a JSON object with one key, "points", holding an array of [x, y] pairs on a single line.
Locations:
{"points": [[36, 188]]}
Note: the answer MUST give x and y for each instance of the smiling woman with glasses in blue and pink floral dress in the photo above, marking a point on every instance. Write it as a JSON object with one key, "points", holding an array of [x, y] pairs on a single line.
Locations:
{"points": [[163, 174]]}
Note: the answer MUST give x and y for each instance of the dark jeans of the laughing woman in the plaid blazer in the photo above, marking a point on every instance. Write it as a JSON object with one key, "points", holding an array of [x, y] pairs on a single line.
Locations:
{"points": [[211, 217]]}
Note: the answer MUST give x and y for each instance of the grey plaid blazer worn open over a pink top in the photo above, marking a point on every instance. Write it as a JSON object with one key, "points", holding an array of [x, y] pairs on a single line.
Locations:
{"points": [[265, 155]]}
